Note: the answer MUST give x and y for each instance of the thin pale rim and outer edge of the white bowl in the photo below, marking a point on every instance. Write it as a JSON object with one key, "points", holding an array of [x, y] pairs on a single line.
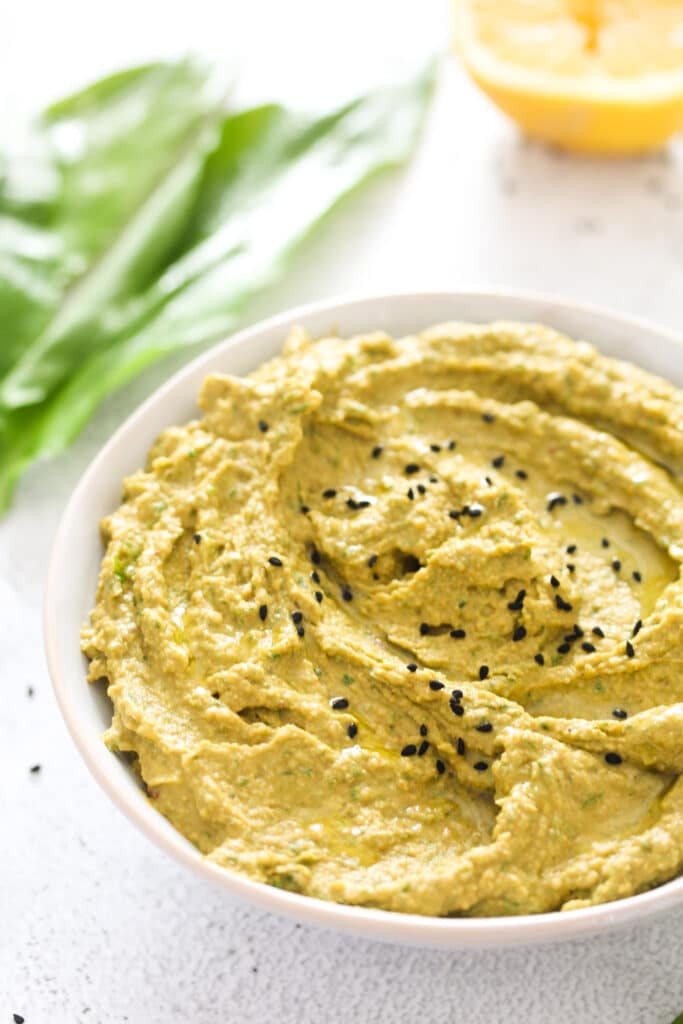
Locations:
{"points": [[408, 929]]}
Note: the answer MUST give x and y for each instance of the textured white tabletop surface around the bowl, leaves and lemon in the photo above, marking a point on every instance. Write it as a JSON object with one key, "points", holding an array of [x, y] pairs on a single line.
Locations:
{"points": [[96, 925]]}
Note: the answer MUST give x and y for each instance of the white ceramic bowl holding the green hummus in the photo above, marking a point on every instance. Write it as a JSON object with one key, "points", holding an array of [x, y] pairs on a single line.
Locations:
{"points": [[78, 551]]}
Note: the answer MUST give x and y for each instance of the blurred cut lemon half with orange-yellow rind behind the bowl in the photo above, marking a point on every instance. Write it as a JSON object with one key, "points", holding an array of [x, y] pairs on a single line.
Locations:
{"points": [[594, 76]]}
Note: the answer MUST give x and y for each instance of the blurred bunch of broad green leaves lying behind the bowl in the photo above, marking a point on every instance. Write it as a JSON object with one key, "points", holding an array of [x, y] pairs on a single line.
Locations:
{"points": [[154, 216]]}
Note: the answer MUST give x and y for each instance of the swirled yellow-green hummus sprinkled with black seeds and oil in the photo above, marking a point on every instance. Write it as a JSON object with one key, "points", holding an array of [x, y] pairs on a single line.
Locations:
{"points": [[400, 623]]}
